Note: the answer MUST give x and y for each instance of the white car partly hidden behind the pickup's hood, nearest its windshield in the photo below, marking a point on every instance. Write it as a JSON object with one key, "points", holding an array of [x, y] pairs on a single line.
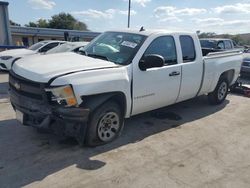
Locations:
{"points": [[68, 47]]}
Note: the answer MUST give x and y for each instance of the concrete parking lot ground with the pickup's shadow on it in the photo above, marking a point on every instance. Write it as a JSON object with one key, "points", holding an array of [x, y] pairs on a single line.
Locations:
{"points": [[191, 144]]}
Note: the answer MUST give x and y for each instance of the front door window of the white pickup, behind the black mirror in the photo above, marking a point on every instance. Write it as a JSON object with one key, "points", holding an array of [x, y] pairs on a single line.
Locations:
{"points": [[165, 47]]}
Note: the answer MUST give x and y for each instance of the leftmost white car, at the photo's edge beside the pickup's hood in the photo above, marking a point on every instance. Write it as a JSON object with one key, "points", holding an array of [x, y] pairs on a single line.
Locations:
{"points": [[7, 58]]}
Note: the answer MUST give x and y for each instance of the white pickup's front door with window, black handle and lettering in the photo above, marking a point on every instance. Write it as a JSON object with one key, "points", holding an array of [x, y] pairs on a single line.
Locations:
{"points": [[157, 87]]}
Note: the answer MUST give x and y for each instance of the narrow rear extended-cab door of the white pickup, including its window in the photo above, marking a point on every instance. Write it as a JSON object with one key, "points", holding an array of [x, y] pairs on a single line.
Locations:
{"points": [[192, 67]]}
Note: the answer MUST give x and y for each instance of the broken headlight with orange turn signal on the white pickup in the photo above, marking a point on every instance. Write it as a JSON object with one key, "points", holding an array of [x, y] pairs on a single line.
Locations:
{"points": [[62, 95]]}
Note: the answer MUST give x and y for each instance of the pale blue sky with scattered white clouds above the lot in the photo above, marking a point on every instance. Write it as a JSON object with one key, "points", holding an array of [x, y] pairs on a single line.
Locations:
{"points": [[219, 16]]}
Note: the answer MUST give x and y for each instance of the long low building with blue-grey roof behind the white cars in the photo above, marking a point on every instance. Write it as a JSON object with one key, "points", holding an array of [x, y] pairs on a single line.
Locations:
{"points": [[26, 36]]}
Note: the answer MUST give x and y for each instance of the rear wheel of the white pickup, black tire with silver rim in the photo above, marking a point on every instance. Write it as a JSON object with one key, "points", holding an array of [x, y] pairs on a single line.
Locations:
{"points": [[220, 93]]}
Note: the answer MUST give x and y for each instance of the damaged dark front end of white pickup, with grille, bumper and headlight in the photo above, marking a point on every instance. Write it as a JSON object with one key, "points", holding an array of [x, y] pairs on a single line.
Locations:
{"points": [[48, 109]]}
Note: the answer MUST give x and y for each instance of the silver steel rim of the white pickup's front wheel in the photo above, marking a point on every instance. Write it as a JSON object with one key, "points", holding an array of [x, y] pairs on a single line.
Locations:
{"points": [[108, 126]]}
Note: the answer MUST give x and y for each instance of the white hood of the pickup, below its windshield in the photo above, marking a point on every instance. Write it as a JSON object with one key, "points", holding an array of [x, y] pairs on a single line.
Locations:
{"points": [[43, 68]]}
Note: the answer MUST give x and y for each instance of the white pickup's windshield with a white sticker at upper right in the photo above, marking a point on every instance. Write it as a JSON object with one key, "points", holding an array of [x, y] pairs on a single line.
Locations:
{"points": [[116, 47]]}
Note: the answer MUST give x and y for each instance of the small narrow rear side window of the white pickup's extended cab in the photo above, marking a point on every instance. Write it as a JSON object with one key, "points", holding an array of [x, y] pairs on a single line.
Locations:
{"points": [[188, 49]]}
